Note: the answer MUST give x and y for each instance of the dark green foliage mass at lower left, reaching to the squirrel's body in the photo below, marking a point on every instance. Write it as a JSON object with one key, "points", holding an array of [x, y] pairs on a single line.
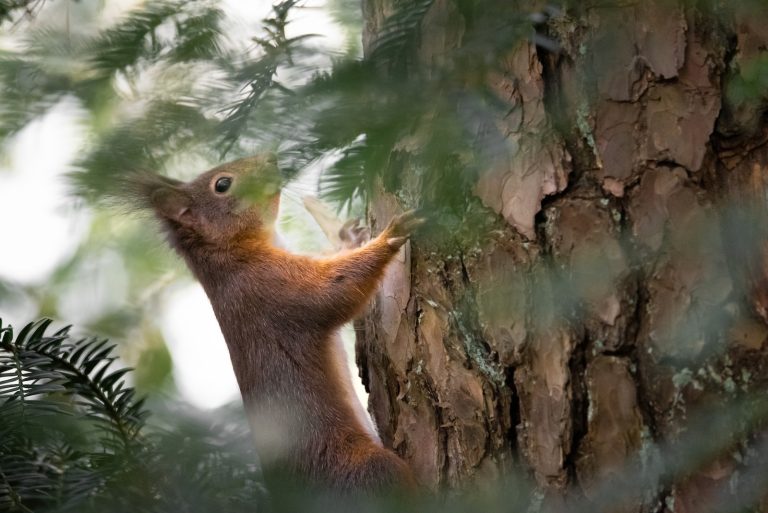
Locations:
{"points": [[73, 437]]}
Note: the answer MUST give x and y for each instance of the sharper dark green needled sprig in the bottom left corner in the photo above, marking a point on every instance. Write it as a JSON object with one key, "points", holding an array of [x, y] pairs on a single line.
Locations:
{"points": [[69, 424]]}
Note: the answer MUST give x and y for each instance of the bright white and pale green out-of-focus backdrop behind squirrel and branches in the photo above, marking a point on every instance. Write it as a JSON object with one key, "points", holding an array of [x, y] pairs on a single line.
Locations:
{"points": [[110, 273]]}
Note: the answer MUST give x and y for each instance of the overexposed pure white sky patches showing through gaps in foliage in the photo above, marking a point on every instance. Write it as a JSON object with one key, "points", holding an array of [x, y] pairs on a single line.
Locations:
{"points": [[34, 200]]}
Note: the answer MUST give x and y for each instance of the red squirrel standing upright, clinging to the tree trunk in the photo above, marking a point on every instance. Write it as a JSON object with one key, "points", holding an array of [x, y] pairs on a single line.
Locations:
{"points": [[280, 314]]}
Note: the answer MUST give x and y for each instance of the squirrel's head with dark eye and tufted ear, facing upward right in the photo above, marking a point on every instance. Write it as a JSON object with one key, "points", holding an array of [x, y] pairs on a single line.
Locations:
{"points": [[221, 207]]}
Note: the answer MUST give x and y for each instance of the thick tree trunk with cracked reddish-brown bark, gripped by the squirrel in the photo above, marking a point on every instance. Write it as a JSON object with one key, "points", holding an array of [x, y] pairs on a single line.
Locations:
{"points": [[623, 292]]}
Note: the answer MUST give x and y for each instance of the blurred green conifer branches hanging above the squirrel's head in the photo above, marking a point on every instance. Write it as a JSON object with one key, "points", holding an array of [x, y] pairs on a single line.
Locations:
{"points": [[339, 106]]}
